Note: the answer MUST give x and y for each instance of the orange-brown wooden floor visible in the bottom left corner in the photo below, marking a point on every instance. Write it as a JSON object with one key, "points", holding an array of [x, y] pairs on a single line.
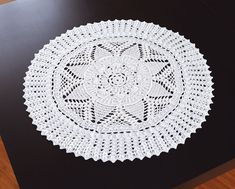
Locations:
{"points": [[7, 176]]}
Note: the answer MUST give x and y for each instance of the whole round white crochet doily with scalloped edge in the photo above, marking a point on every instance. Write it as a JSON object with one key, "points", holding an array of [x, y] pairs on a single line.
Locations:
{"points": [[118, 90]]}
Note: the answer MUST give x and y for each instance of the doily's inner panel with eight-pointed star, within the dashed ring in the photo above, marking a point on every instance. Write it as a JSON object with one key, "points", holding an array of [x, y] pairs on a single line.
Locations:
{"points": [[116, 85]]}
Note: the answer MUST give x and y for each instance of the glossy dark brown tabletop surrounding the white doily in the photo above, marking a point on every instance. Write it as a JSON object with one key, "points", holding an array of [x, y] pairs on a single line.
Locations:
{"points": [[26, 25]]}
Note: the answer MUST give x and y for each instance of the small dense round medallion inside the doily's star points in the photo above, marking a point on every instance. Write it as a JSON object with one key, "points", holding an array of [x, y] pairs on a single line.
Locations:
{"points": [[117, 81]]}
